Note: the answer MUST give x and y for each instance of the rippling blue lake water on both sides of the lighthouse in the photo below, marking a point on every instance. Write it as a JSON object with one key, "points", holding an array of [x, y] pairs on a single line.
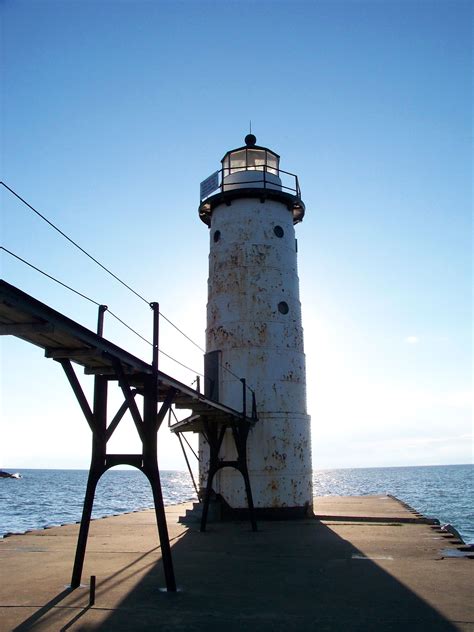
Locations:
{"points": [[53, 497]]}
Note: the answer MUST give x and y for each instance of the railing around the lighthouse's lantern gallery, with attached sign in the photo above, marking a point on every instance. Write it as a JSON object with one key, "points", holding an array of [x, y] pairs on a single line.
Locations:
{"points": [[259, 176]]}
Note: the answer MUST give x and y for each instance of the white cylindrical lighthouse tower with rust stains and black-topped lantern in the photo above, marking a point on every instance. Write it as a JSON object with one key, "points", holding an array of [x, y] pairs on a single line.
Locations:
{"points": [[254, 334]]}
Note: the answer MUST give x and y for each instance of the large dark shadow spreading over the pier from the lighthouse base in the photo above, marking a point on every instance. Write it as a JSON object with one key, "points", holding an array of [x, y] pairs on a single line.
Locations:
{"points": [[287, 576]]}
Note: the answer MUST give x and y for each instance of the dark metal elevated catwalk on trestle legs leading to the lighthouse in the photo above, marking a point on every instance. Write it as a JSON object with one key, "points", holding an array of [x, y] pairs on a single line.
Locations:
{"points": [[68, 342]]}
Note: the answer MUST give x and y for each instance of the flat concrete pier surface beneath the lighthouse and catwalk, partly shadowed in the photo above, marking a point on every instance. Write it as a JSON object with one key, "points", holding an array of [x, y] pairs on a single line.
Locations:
{"points": [[363, 563]]}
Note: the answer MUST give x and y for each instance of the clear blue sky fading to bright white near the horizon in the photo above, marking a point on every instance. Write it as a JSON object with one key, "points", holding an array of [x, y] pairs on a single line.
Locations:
{"points": [[114, 111]]}
